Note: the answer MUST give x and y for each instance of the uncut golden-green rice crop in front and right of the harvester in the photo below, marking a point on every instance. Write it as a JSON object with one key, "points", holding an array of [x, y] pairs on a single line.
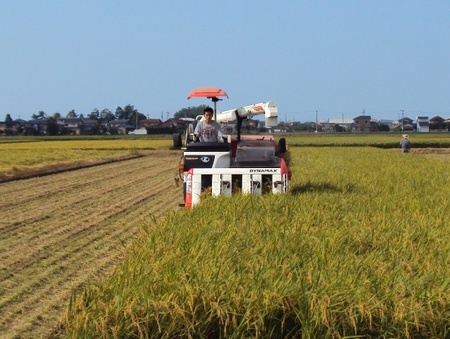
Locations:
{"points": [[358, 248]]}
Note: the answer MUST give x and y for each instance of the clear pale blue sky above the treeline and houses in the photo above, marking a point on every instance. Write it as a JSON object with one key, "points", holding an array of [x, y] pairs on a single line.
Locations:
{"points": [[339, 58]]}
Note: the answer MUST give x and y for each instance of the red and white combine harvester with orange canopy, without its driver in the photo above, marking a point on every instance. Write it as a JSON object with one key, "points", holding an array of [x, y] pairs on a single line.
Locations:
{"points": [[248, 164]]}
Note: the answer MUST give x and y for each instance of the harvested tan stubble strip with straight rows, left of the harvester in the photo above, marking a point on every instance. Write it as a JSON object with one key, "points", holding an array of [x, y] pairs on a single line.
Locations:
{"points": [[61, 231]]}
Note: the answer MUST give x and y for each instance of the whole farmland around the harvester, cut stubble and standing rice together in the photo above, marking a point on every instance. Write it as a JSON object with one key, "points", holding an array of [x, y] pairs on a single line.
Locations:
{"points": [[358, 248]]}
